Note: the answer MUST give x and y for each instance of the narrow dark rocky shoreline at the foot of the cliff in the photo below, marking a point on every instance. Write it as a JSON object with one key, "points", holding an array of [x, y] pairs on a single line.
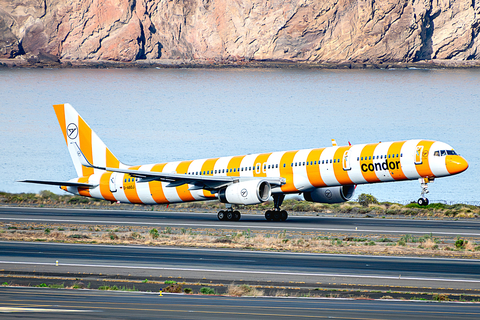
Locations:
{"points": [[36, 63]]}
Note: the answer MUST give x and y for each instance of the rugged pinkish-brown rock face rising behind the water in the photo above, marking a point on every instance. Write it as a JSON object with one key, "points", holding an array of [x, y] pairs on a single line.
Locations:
{"points": [[236, 30]]}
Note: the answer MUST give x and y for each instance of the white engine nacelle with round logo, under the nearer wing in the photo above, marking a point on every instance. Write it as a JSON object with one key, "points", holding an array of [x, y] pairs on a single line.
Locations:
{"points": [[247, 192]]}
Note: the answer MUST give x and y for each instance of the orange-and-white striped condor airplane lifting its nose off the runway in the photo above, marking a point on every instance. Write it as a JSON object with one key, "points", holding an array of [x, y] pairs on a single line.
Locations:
{"points": [[324, 175]]}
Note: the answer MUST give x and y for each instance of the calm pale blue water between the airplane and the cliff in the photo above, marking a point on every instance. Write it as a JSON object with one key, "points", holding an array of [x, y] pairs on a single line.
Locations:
{"points": [[156, 115]]}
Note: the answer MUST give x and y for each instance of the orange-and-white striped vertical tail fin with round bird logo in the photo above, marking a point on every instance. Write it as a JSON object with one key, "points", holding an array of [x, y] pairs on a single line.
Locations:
{"points": [[76, 130]]}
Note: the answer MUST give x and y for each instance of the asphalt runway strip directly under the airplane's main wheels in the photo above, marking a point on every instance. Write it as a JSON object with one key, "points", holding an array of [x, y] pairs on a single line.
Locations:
{"points": [[466, 228]]}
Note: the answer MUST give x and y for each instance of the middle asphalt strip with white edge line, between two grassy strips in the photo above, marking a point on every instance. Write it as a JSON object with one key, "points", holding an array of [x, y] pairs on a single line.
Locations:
{"points": [[239, 264]]}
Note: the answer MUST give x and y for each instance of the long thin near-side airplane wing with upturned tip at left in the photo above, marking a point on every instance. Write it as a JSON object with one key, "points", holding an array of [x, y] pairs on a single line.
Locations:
{"points": [[176, 179]]}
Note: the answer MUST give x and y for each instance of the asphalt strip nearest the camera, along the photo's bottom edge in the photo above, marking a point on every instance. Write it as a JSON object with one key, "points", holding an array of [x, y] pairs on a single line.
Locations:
{"points": [[41, 303]]}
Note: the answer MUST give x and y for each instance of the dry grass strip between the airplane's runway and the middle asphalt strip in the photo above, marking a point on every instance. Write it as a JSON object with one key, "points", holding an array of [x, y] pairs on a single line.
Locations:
{"points": [[293, 241]]}
